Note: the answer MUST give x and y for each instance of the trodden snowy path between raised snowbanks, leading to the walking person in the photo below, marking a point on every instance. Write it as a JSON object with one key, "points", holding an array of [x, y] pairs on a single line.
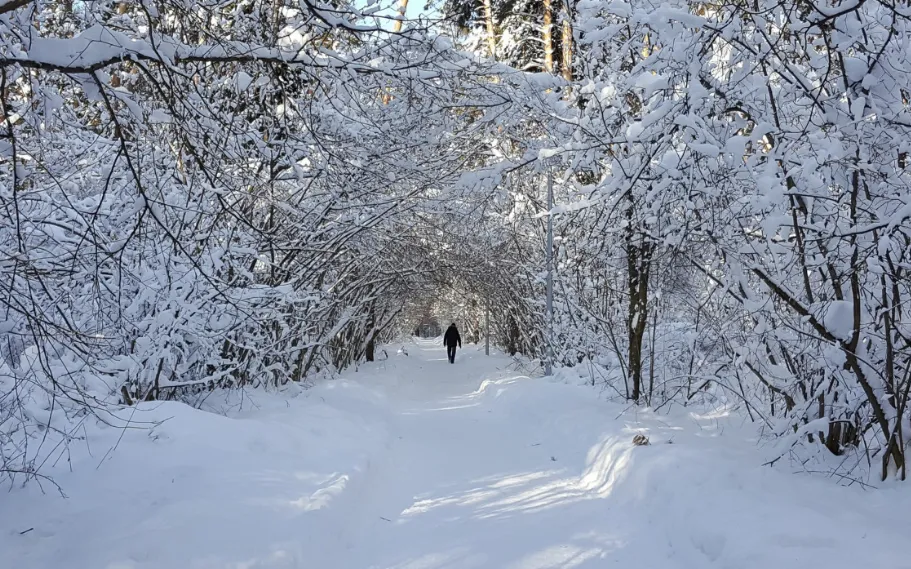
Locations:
{"points": [[476, 476]]}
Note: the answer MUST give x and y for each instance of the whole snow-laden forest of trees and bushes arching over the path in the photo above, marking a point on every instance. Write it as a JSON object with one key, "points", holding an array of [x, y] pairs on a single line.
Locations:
{"points": [[244, 194]]}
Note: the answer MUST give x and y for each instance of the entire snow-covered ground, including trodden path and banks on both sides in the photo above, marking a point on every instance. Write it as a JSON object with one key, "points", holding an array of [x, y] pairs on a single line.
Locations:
{"points": [[418, 464]]}
